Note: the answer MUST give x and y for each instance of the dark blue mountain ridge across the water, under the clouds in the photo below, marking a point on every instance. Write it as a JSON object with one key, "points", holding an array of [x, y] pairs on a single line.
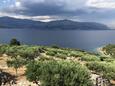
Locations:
{"points": [[8, 22]]}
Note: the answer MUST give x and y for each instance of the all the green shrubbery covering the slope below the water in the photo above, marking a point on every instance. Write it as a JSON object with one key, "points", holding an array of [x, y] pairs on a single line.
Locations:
{"points": [[55, 66]]}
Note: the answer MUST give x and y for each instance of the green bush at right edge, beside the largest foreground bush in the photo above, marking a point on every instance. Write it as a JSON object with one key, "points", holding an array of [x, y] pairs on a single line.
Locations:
{"points": [[103, 68]]}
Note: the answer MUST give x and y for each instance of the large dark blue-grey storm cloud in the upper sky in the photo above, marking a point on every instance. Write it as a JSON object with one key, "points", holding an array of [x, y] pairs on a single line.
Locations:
{"points": [[46, 7]]}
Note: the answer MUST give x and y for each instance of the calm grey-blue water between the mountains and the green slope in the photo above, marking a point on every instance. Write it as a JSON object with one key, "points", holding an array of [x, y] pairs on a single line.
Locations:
{"points": [[88, 40]]}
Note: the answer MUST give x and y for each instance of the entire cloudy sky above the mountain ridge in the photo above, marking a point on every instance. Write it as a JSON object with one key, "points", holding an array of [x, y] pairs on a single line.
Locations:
{"points": [[102, 11]]}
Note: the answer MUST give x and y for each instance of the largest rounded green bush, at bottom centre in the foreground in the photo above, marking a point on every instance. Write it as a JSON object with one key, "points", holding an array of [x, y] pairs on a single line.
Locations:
{"points": [[63, 73]]}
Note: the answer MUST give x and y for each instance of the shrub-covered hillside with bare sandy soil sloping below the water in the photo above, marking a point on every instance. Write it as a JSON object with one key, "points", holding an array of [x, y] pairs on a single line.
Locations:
{"points": [[48, 61]]}
